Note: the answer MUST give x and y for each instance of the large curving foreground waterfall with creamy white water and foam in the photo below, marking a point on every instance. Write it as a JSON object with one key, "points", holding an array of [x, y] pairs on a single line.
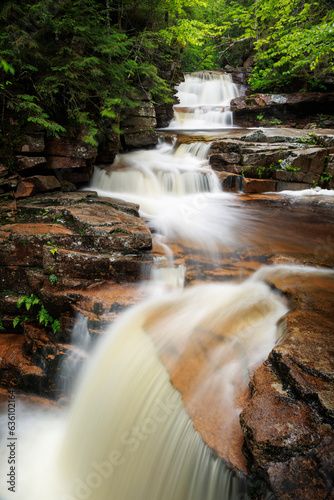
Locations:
{"points": [[128, 435]]}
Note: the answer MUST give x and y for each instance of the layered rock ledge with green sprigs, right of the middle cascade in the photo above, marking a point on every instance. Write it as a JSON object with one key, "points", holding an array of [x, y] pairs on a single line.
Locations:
{"points": [[274, 160]]}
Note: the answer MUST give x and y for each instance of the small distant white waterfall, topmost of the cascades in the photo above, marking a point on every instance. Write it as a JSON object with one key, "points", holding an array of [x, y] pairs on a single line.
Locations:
{"points": [[204, 100]]}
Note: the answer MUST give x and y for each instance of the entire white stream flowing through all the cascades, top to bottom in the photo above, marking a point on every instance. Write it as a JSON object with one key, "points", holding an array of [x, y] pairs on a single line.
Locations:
{"points": [[127, 434]]}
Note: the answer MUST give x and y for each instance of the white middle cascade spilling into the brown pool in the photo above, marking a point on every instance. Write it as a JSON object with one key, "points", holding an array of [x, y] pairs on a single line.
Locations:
{"points": [[178, 192]]}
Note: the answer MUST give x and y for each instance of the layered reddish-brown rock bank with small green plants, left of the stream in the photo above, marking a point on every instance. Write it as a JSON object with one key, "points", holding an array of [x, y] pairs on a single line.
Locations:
{"points": [[61, 248]]}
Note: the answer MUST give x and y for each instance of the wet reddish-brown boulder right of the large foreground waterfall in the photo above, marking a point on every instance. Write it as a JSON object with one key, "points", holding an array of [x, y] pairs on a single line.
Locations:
{"points": [[288, 421]]}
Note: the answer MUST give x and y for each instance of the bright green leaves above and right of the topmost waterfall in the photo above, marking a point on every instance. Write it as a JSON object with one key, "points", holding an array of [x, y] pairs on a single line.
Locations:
{"points": [[292, 41]]}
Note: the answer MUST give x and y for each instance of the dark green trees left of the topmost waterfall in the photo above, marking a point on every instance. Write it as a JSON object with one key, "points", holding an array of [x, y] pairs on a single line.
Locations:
{"points": [[79, 63]]}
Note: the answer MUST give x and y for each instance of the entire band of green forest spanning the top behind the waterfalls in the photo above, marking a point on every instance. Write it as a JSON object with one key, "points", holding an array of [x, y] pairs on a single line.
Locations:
{"points": [[67, 65]]}
